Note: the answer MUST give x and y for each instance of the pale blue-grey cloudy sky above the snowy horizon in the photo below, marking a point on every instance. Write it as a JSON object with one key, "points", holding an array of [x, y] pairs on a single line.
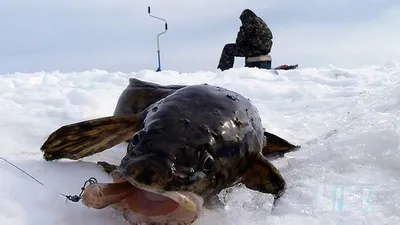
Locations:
{"points": [[119, 35]]}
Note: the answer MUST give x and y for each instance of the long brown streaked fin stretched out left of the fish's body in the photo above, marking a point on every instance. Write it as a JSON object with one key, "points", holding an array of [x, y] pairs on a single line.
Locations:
{"points": [[78, 140]]}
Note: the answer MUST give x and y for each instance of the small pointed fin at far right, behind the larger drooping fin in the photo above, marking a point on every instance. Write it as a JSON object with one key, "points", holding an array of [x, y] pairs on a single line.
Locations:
{"points": [[277, 146]]}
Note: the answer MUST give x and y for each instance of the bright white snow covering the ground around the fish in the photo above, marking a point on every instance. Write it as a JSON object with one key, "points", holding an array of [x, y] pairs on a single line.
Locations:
{"points": [[347, 171]]}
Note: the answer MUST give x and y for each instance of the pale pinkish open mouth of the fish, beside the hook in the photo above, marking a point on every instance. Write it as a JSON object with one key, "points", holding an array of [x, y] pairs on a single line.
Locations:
{"points": [[123, 194]]}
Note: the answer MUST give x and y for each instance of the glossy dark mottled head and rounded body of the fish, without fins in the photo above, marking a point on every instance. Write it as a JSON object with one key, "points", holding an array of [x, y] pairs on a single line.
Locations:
{"points": [[185, 129]]}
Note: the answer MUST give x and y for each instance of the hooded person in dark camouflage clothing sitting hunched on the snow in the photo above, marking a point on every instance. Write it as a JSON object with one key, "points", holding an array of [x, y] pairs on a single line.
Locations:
{"points": [[254, 39]]}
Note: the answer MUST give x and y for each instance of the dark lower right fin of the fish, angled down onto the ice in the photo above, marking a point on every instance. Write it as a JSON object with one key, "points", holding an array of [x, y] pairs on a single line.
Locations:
{"points": [[263, 176]]}
